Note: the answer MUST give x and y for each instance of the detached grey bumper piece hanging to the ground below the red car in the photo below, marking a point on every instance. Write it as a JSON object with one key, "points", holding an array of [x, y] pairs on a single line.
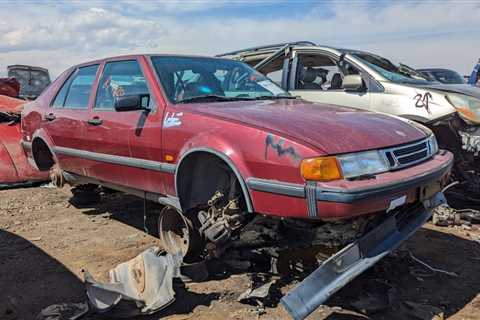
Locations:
{"points": [[357, 257]]}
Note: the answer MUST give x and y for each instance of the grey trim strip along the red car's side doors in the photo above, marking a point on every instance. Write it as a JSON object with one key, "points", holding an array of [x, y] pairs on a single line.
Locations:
{"points": [[120, 160]]}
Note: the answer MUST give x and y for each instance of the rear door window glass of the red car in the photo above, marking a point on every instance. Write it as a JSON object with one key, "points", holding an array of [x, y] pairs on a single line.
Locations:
{"points": [[81, 87]]}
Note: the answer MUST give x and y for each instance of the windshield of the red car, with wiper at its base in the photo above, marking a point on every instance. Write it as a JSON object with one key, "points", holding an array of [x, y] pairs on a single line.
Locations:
{"points": [[189, 79]]}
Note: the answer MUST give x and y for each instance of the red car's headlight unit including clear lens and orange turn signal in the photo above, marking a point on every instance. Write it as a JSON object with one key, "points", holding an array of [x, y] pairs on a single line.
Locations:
{"points": [[343, 166]]}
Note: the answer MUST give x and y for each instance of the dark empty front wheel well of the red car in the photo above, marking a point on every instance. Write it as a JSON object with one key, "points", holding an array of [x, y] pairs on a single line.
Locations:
{"points": [[200, 175]]}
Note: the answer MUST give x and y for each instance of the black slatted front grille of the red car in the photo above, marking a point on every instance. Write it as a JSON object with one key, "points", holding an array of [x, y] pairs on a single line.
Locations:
{"points": [[407, 155]]}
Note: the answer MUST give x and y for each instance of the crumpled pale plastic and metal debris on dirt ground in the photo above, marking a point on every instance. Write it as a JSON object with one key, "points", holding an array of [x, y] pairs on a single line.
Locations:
{"points": [[144, 283]]}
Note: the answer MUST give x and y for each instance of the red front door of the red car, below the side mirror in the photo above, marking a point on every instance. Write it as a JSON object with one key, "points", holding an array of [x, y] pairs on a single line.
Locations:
{"points": [[126, 145]]}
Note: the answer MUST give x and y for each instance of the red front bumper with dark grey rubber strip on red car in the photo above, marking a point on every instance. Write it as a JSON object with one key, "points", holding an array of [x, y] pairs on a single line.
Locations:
{"points": [[342, 199]]}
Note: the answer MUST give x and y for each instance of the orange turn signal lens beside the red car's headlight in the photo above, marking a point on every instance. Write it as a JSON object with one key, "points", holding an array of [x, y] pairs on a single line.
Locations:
{"points": [[321, 169]]}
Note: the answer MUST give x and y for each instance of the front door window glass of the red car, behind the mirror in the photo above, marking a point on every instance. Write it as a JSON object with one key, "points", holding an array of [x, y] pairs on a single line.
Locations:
{"points": [[120, 78]]}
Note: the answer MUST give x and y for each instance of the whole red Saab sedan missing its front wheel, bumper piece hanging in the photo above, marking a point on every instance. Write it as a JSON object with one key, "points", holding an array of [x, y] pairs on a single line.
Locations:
{"points": [[218, 143]]}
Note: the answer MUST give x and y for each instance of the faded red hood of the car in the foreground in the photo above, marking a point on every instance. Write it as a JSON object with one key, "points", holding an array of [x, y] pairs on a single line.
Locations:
{"points": [[332, 129]]}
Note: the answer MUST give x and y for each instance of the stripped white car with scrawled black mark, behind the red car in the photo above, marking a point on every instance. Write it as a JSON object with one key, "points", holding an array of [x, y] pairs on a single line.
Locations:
{"points": [[368, 81]]}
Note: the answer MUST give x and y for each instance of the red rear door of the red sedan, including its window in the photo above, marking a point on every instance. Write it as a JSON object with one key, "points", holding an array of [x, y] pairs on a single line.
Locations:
{"points": [[65, 120]]}
